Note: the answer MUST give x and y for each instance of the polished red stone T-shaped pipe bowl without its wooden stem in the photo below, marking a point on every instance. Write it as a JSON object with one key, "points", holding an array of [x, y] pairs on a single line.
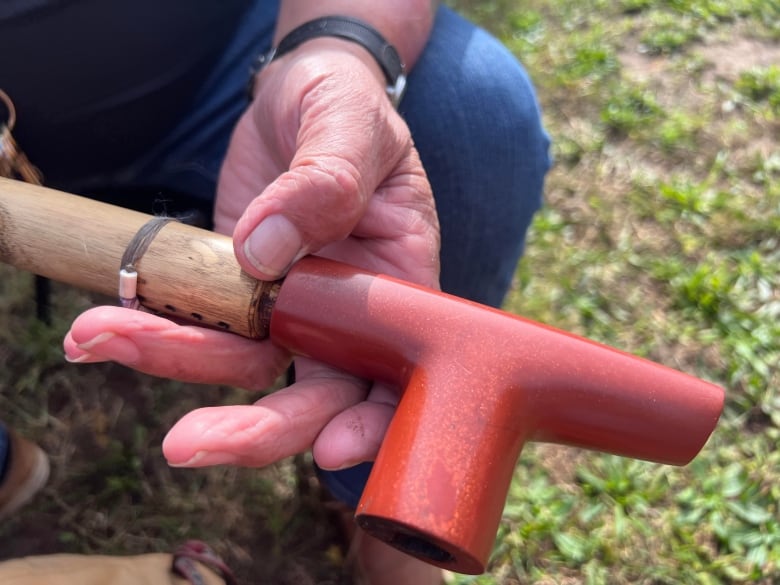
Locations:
{"points": [[478, 384]]}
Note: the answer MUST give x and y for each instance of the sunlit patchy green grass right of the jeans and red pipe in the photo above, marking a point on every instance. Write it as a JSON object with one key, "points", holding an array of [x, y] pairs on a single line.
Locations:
{"points": [[661, 236]]}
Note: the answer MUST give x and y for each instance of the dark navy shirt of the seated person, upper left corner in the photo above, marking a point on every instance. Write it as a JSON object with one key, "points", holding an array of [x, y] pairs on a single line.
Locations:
{"points": [[97, 83]]}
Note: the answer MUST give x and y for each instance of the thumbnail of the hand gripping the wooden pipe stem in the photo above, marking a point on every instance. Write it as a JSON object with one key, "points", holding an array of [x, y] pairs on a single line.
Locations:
{"points": [[273, 245]]}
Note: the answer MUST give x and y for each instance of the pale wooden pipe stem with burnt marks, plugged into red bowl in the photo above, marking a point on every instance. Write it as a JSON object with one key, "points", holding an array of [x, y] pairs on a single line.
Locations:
{"points": [[187, 272]]}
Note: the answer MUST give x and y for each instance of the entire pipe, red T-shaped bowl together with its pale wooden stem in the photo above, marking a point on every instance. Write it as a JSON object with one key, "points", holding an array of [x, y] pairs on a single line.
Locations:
{"points": [[477, 382]]}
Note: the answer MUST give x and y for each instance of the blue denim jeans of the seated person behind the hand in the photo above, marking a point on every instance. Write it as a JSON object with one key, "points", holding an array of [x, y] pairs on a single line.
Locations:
{"points": [[475, 120]]}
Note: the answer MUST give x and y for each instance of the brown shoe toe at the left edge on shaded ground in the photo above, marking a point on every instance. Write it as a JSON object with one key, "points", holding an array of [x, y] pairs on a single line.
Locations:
{"points": [[26, 473]]}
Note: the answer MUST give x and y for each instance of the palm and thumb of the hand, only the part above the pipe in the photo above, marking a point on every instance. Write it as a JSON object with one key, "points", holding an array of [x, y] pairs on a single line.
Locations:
{"points": [[335, 169]]}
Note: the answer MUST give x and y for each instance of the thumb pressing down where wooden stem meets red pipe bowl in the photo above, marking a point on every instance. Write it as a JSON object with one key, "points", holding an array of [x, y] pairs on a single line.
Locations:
{"points": [[348, 140]]}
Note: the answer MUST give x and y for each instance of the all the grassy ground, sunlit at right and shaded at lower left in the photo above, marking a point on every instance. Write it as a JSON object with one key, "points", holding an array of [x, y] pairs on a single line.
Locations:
{"points": [[660, 236]]}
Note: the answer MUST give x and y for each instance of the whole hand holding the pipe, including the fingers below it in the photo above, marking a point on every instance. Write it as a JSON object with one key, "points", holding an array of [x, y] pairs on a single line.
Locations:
{"points": [[322, 164]]}
